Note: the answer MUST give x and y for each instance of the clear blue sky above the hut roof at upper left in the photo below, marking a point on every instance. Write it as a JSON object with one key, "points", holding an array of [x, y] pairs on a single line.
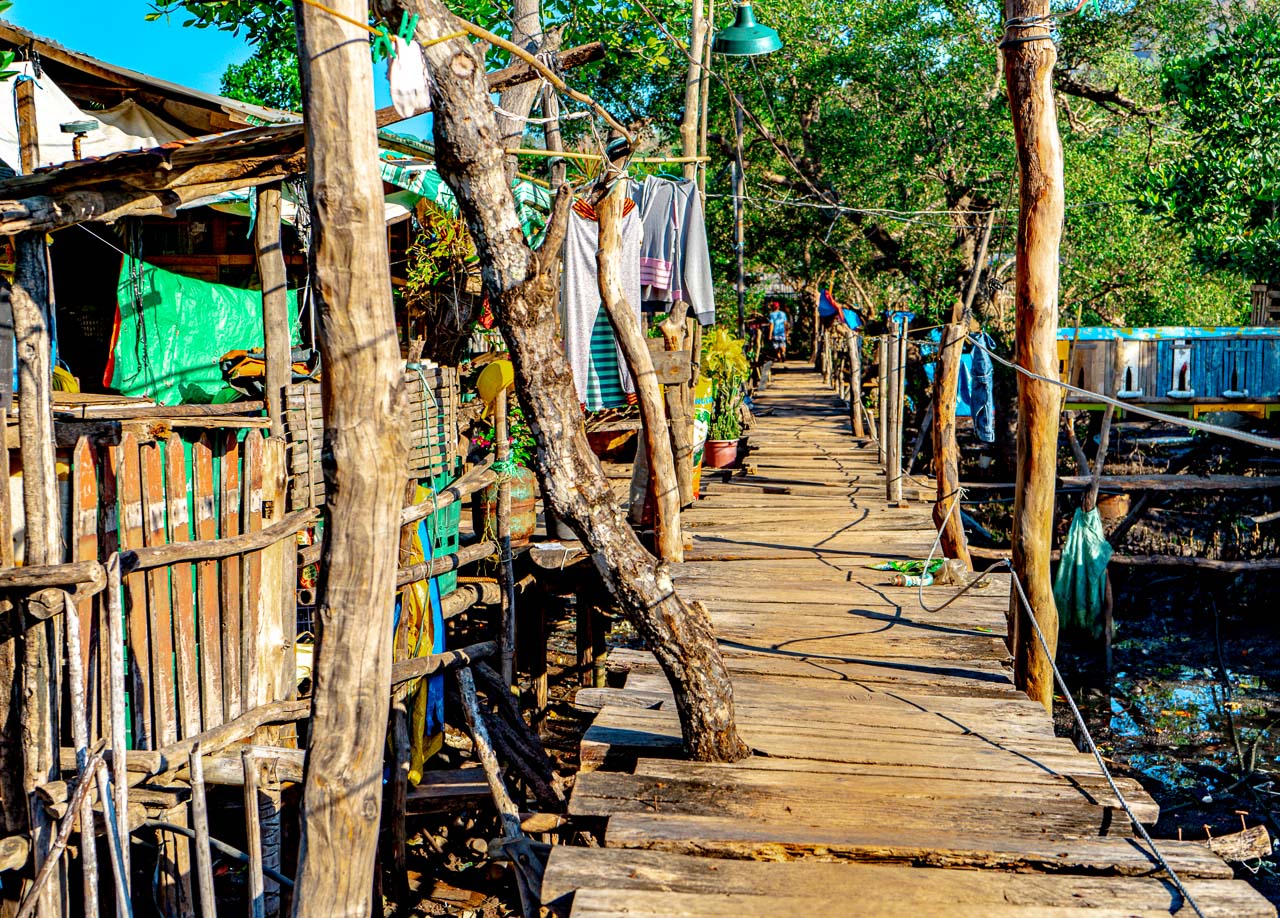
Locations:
{"points": [[116, 31]]}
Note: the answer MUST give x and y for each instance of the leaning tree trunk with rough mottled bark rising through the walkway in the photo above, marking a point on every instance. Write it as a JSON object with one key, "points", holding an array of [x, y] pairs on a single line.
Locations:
{"points": [[522, 287]]}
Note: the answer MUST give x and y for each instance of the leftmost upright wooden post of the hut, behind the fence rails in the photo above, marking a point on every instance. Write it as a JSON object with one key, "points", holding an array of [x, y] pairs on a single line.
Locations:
{"points": [[33, 317]]}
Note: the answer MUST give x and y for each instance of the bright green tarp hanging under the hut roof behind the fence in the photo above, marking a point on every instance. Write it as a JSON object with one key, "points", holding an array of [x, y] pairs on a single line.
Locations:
{"points": [[172, 331]]}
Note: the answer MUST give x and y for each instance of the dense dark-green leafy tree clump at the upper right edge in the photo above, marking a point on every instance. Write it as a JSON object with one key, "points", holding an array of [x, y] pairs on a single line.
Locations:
{"points": [[1224, 188]]}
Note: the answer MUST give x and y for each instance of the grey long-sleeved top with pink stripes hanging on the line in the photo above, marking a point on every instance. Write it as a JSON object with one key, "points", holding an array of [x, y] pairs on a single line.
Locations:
{"points": [[675, 263]]}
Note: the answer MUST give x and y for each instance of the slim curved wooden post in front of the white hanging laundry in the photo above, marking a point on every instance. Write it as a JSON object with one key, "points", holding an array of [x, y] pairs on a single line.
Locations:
{"points": [[636, 349]]}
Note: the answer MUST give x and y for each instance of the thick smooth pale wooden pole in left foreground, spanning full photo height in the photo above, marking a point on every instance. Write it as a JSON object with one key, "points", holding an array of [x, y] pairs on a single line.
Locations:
{"points": [[364, 409]]}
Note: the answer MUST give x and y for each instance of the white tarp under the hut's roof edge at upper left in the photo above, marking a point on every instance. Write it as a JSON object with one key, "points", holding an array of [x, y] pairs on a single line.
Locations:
{"points": [[125, 127]]}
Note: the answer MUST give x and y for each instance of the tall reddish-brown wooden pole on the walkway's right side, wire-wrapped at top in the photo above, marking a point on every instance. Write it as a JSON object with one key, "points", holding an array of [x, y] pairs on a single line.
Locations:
{"points": [[1030, 58]]}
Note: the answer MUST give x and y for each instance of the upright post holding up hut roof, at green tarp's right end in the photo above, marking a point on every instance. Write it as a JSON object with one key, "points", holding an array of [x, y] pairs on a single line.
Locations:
{"points": [[276, 304]]}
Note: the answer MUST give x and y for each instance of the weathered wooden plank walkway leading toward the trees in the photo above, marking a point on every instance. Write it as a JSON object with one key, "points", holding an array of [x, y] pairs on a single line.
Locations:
{"points": [[897, 769]]}
